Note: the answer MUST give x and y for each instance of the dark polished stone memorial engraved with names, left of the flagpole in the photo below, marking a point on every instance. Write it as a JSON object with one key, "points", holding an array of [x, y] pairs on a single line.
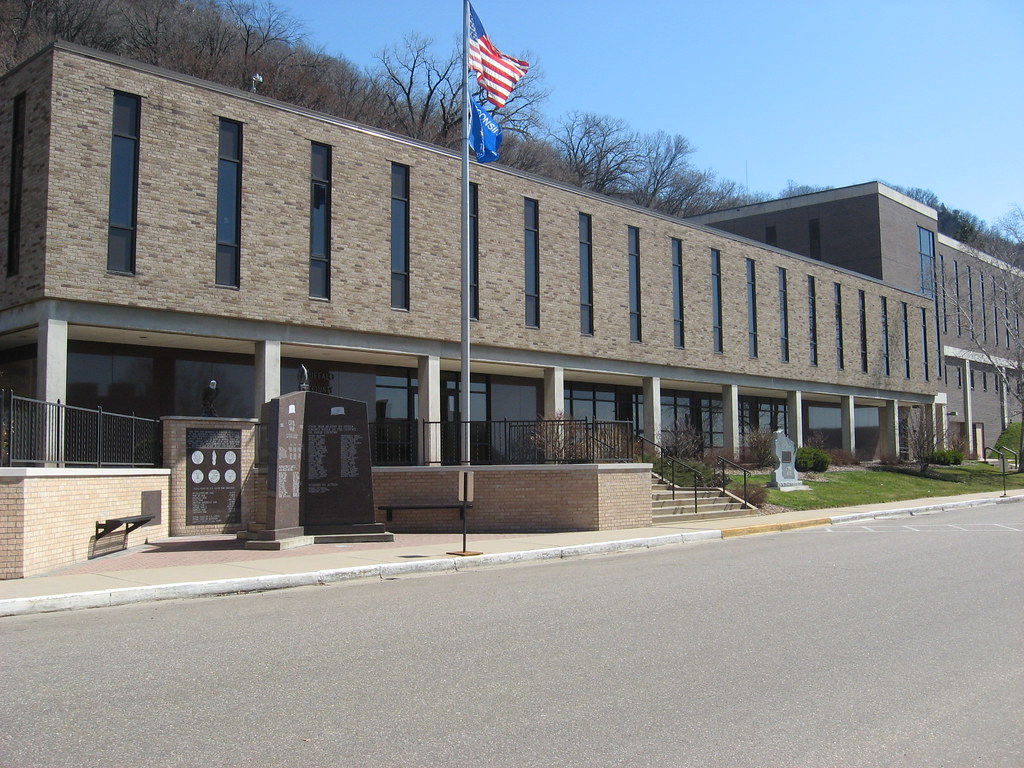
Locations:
{"points": [[320, 482]]}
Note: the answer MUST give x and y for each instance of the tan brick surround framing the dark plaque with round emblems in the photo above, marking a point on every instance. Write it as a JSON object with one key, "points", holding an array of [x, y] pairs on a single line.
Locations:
{"points": [[177, 459]]}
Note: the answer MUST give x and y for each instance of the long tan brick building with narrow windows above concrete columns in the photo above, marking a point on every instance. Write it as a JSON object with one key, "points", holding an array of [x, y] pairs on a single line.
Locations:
{"points": [[161, 232]]}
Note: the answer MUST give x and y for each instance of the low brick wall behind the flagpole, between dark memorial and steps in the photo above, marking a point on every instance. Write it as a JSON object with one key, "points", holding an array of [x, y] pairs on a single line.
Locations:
{"points": [[536, 498]]}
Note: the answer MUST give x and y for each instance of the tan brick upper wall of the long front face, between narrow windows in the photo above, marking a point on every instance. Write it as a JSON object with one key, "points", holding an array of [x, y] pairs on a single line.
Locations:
{"points": [[177, 233]]}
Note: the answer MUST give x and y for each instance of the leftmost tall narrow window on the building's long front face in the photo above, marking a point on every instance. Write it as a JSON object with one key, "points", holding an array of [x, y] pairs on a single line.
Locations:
{"points": [[124, 185]]}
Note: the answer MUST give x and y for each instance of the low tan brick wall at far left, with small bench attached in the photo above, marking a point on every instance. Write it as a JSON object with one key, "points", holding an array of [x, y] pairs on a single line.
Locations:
{"points": [[49, 517]]}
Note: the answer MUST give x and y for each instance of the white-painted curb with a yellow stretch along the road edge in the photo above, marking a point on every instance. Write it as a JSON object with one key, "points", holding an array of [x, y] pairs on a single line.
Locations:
{"points": [[130, 595]]}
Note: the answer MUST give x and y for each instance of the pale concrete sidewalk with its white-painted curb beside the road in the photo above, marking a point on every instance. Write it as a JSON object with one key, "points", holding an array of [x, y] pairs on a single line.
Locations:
{"points": [[172, 569]]}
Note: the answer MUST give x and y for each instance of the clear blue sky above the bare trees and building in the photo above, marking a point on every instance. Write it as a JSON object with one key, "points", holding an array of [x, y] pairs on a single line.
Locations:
{"points": [[825, 93]]}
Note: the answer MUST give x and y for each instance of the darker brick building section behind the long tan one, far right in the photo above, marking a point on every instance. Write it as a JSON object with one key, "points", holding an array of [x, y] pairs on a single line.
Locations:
{"points": [[877, 231]]}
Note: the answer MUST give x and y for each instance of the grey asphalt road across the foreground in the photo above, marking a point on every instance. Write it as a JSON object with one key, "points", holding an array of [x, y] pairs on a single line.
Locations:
{"points": [[898, 644]]}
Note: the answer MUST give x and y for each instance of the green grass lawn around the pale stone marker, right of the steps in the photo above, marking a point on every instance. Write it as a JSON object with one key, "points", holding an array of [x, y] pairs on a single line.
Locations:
{"points": [[878, 485]]}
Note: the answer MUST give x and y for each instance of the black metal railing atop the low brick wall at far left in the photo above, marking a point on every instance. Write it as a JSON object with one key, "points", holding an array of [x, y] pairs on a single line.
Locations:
{"points": [[35, 433]]}
